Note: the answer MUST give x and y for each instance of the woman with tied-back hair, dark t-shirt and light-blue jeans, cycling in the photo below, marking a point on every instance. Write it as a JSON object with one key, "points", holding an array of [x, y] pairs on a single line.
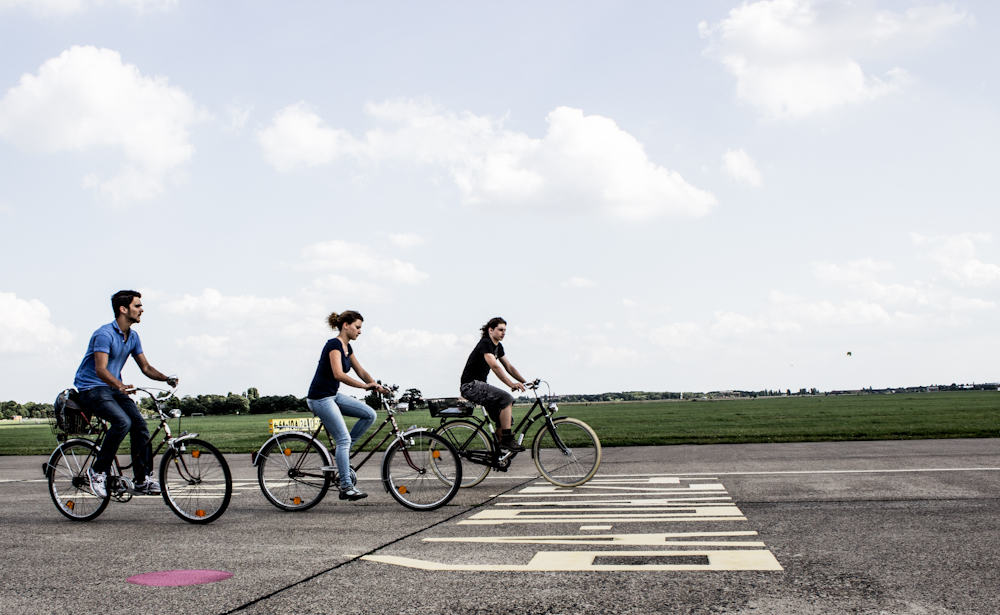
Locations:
{"points": [[331, 406]]}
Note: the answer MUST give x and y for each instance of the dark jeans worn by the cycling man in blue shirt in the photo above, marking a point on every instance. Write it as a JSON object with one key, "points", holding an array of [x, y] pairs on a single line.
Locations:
{"points": [[125, 418]]}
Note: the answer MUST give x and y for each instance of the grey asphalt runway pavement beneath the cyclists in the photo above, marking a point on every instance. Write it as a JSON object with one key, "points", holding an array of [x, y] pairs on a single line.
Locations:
{"points": [[901, 527]]}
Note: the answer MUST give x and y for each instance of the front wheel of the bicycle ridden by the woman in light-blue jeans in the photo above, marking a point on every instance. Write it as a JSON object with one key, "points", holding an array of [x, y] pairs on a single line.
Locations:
{"points": [[421, 470]]}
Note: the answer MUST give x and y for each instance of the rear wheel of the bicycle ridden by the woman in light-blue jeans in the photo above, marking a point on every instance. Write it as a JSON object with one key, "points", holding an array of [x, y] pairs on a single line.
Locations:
{"points": [[289, 474]]}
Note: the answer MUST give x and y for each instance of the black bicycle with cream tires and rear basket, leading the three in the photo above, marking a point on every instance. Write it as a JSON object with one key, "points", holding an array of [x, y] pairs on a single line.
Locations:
{"points": [[566, 451]]}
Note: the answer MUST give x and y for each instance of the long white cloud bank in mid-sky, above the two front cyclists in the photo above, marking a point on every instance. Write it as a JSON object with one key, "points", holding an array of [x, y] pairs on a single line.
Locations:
{"points": [[584, 162]]}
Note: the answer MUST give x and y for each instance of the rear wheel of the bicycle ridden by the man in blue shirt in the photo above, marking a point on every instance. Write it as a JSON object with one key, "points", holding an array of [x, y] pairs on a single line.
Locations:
{"points": [[69, 485]]}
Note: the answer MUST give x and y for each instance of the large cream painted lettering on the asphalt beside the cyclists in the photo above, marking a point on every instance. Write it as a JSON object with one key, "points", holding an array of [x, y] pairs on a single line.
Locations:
{"points": [[610, 502]]}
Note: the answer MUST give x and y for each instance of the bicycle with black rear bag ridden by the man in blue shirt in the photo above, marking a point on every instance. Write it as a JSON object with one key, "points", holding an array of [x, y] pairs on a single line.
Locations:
{"points": [[195, 481]]}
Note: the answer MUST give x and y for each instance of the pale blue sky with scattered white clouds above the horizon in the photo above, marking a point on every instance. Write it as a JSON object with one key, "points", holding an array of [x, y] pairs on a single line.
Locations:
{"points": [[660, 196]]}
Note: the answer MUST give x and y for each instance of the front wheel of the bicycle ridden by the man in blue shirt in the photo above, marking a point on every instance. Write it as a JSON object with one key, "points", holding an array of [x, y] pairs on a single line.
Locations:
{"points": [[195, 481]]}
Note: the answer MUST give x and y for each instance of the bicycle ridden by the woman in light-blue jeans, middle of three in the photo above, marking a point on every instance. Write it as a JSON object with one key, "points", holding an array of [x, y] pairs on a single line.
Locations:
{"points": [[419, 469]]}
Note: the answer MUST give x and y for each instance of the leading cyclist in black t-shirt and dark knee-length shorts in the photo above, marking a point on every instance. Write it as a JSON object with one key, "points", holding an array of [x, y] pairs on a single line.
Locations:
{"points": [[489, 355]]}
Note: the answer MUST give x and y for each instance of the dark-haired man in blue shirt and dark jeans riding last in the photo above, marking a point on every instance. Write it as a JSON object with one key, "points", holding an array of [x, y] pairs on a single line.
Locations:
{"points": [[98, 379]]}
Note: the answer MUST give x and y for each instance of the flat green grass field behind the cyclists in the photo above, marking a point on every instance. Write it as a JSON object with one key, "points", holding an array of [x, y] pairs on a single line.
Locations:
{"points": [[966, 414]]}
